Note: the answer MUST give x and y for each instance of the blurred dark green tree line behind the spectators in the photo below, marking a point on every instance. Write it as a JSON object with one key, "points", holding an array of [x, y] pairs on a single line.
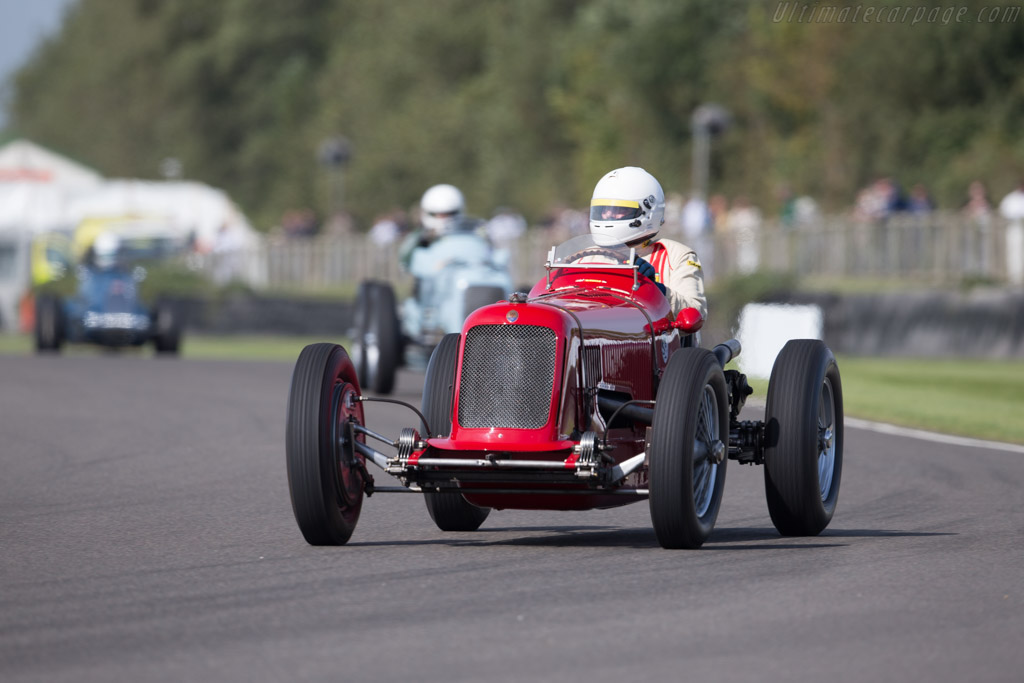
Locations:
{"points": [[527, 103]]}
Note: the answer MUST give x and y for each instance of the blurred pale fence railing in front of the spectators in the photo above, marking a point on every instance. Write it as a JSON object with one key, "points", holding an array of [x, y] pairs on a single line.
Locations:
{"points": [[937, 249]]}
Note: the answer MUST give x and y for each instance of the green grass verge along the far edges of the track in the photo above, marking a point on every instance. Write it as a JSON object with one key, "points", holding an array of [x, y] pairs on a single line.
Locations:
{"points": [[980, 399]]}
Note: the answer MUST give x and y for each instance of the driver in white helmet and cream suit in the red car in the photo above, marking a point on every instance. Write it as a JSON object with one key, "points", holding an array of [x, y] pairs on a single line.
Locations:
{"points": [[629, 206]]}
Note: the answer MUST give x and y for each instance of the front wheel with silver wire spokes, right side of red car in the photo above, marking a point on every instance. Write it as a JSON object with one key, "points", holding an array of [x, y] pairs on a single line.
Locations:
{"points": [[689, 449]]}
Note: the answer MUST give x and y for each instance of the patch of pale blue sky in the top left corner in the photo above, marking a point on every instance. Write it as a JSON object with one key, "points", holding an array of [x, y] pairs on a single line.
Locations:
{"points": [[24, 24]]}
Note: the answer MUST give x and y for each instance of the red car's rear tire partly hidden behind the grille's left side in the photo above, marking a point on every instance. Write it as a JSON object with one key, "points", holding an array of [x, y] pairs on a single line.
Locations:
{"points": [[452, 513]]}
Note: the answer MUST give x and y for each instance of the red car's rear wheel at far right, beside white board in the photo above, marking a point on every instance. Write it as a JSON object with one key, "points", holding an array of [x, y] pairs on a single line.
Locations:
{"points": [[803, 439]]}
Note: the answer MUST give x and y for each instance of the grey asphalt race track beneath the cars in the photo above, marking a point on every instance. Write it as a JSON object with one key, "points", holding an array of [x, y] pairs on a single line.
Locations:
{"points": [[148, 536]]}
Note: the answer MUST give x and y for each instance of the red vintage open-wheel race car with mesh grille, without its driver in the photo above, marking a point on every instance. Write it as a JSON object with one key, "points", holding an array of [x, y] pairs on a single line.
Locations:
{"points": [[585, 394]]}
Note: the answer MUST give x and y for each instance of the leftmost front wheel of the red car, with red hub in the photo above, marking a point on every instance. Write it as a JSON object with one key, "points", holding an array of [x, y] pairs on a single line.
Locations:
{"points": [[325, 473]]}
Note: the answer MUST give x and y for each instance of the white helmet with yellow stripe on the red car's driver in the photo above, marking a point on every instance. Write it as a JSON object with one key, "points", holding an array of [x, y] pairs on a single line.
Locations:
{"points": [[628, 206]]}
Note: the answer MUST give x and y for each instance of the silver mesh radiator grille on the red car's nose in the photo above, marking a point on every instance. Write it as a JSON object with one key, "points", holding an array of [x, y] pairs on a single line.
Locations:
{"points": [[508, 372]]}
